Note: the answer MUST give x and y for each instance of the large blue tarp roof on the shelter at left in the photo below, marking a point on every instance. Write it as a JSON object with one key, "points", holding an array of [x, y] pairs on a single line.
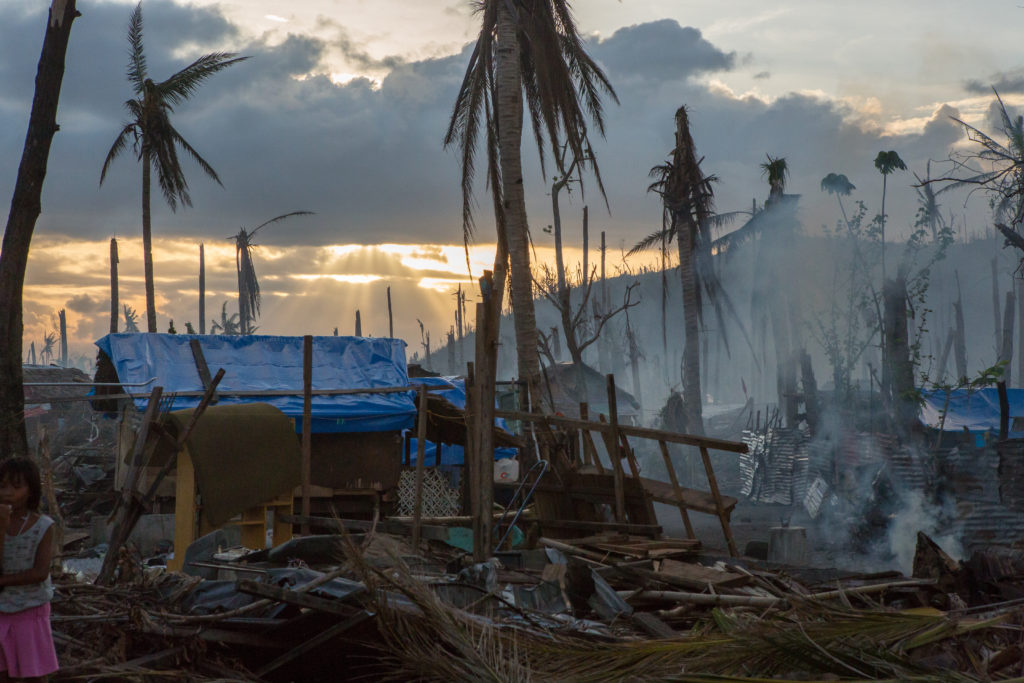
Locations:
{"points": [[262, 363]]}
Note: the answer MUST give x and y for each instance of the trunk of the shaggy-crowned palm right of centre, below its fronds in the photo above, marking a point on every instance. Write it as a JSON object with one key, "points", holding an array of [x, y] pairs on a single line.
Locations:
{"points": [[692, 347]]}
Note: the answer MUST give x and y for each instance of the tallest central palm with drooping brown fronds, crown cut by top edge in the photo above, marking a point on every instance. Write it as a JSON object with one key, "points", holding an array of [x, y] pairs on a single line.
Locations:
{"points": [[526, 50]]}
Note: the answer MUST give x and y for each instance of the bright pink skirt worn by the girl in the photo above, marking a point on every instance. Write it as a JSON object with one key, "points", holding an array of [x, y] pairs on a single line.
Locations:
{"points": [[27, 644]]}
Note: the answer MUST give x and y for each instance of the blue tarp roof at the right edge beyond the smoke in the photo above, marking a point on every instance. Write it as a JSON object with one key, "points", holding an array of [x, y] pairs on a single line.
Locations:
{"points": [[978, 410]]}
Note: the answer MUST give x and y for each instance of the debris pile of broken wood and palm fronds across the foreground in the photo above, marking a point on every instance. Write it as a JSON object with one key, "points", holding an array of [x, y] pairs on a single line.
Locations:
{"points": [[604, 608]]}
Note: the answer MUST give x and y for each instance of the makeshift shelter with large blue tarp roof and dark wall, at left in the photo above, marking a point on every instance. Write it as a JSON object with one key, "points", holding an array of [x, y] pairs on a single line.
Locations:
{"points": [[357, 437]]}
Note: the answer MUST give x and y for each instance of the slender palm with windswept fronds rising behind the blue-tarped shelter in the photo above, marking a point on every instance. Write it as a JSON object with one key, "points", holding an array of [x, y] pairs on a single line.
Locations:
{"points": [[155, 141]]}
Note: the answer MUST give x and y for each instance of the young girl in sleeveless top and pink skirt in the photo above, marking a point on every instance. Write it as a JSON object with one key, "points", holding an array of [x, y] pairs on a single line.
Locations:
{"points": [[26, 642]]}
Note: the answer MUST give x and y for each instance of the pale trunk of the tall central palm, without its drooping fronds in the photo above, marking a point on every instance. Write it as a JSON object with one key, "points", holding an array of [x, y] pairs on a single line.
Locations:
{"points": [[509, 115]]}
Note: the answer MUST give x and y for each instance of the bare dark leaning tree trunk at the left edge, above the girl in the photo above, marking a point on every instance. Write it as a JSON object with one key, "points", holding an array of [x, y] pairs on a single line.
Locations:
{"points": [[25, 208]]}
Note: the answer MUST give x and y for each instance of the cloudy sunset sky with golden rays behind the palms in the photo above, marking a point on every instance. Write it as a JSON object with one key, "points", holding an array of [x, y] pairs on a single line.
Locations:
{"points": [[343, 107]]}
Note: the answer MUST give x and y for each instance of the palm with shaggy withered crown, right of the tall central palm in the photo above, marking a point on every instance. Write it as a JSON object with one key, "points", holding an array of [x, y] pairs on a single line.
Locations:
{"points": [[687, 195]]}
